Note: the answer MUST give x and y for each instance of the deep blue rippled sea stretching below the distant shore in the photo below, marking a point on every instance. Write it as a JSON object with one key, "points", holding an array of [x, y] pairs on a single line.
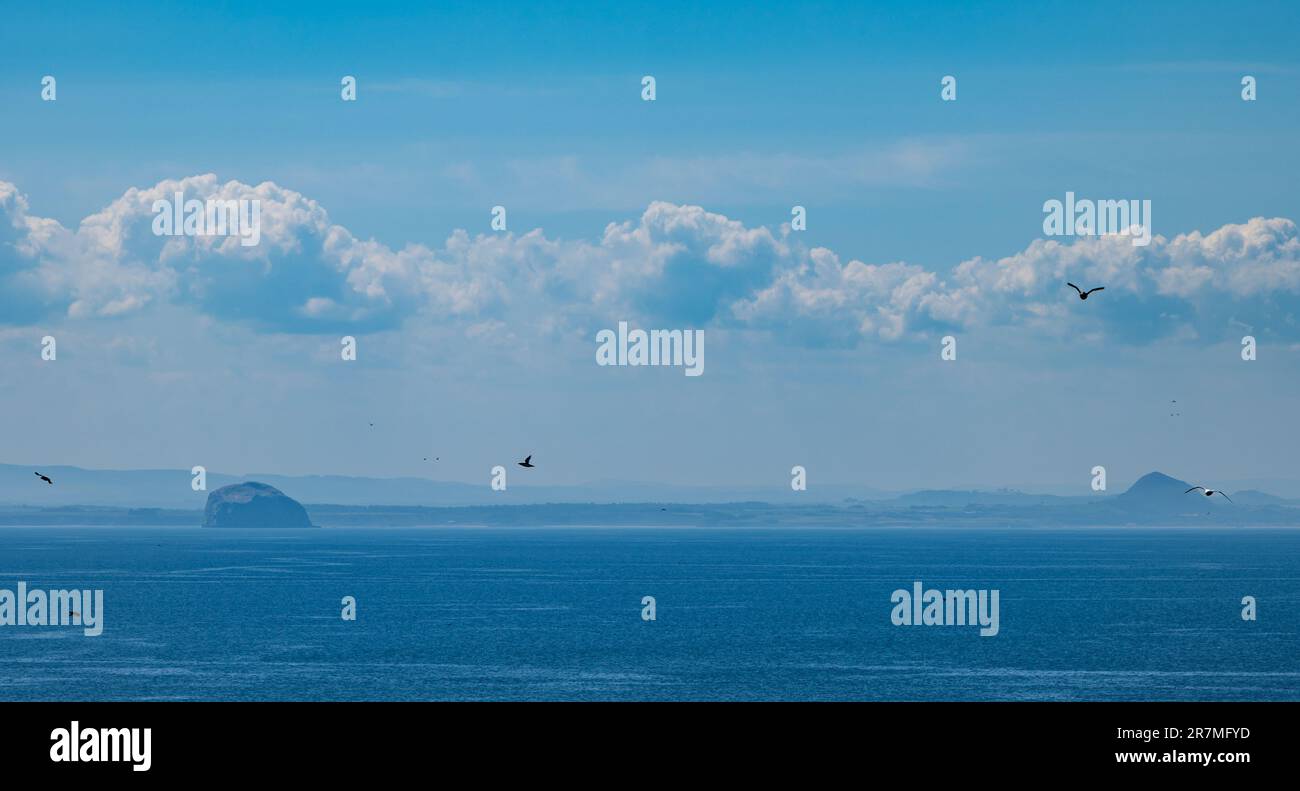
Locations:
{"points": [[743, 615]]}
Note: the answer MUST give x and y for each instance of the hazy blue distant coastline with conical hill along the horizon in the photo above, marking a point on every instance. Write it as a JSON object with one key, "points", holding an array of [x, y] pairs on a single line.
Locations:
{"points": [[1155, 500]]}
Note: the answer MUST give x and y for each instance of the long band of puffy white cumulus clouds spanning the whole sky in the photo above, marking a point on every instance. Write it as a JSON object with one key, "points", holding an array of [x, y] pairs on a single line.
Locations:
{"points": [[674, 265]]}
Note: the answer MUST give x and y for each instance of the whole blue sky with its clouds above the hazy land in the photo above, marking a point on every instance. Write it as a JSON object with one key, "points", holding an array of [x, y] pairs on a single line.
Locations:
{"points": [[478, 347]]}
